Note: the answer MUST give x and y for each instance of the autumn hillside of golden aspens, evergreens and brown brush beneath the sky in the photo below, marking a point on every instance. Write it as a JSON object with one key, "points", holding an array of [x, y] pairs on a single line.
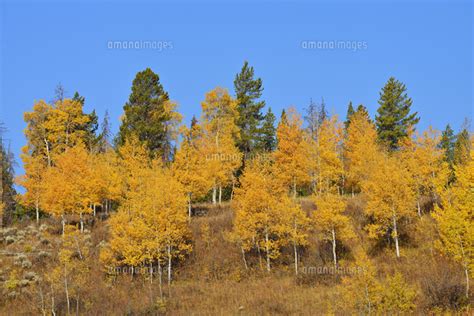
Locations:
{"points": [[239, 211]]}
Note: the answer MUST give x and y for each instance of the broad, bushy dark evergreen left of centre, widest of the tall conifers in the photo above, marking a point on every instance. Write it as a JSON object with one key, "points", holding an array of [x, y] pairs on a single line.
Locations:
{"points": [[145, 114]]}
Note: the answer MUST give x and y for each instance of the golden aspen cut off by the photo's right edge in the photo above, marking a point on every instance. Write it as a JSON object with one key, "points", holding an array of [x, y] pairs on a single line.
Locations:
{"points": [[455, 218]]}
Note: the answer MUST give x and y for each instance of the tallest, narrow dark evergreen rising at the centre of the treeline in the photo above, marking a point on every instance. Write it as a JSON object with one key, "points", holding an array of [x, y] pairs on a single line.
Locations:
{"points": [[248, 90]]}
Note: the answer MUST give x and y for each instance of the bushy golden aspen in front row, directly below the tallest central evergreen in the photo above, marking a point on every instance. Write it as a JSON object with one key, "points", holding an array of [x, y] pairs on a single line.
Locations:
{"points": [[259, 212]]}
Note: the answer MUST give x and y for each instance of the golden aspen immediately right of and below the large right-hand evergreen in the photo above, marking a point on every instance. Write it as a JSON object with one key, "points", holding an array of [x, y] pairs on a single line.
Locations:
{"points": [[424, 160]]}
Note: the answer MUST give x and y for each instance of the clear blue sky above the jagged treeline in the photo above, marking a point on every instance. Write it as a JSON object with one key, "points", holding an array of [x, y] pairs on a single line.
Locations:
{"points": [[427, 45]]}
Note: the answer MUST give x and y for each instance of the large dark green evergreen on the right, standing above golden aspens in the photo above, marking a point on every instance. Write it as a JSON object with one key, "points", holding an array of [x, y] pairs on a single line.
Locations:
{"points": [[394, 118]]}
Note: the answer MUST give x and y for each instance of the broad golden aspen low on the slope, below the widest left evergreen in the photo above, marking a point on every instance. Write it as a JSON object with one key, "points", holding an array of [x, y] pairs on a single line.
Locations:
{"points": [[152, 227]]}
